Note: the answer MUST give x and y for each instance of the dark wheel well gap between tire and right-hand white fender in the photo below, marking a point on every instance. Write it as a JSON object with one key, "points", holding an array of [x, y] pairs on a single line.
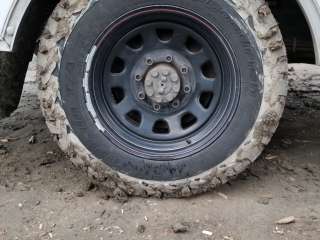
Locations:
{"points": [[295, 30]]}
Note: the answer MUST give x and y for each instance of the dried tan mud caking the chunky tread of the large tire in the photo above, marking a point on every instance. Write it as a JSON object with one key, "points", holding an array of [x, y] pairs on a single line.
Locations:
{"points": [[259, 23]]}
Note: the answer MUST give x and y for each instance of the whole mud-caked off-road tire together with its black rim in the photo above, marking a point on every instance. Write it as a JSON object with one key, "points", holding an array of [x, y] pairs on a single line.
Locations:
{"points": [[126, 160]]}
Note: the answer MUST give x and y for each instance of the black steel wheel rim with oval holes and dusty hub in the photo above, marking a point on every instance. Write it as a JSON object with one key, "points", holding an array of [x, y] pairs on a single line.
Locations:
{"points": [[193, 106]]}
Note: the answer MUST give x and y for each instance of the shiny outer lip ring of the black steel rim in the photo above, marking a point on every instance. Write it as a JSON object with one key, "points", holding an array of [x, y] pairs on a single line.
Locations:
{"points": [[168, 151]]}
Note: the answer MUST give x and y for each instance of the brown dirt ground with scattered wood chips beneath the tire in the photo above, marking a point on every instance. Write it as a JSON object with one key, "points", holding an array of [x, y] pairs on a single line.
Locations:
{"points": [[43, 196]]}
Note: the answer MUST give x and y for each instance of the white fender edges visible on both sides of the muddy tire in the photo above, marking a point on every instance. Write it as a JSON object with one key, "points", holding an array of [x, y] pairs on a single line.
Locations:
{"points": [[12, 12]]}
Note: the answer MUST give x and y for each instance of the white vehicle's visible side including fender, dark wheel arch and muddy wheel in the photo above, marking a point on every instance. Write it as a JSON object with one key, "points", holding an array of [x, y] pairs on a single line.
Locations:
{"points": [[172, 157]]}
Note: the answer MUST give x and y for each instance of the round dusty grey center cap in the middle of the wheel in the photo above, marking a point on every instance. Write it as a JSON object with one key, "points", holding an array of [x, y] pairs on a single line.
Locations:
{"points": [[162, 83]]}
